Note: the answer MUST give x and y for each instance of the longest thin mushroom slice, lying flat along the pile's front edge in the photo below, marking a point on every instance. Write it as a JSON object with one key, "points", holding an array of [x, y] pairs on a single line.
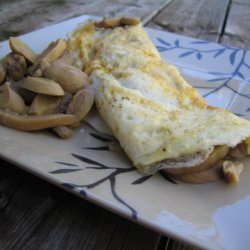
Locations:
{"points": [[30, 123]]}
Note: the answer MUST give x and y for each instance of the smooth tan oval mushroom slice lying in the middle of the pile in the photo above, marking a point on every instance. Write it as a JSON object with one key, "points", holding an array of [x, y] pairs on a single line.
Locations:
{"points": [[42, 86]]}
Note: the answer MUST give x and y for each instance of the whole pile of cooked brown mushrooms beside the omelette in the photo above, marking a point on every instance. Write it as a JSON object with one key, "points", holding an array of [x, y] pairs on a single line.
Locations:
{"points": [[43, 91]]}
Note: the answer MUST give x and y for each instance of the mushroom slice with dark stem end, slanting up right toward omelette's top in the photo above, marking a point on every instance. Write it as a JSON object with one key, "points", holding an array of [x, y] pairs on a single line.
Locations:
{"points": [[50, 54]]}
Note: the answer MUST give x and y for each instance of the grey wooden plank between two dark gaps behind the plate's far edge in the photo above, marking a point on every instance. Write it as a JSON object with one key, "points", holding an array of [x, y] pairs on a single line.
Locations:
{"points": [[196, 18]]}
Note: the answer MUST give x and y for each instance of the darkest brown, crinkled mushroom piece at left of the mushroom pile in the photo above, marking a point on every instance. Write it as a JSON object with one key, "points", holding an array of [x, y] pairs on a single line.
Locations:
{"points": [[15, 66]]}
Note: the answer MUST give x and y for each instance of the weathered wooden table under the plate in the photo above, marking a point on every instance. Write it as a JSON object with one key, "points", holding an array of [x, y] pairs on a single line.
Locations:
{"points": [[36, 215]]}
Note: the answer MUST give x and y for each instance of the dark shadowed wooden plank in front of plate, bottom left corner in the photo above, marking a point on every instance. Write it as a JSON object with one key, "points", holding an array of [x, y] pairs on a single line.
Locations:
{"points": [[37, 215]]}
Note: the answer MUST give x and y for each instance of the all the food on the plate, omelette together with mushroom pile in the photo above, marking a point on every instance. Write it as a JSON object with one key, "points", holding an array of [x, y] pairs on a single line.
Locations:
{"points": [[160, 121]]}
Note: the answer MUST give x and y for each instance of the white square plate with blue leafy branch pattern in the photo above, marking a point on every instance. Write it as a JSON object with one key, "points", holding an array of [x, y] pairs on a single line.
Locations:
{"points": [[213, 215]]}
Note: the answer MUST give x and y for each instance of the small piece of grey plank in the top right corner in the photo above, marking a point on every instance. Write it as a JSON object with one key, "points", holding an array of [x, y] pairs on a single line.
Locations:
{"points": [[237, 26]]}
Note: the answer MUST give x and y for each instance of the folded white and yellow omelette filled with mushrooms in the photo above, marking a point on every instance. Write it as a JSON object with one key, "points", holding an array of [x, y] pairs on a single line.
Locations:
{"points": [[160, 121]]}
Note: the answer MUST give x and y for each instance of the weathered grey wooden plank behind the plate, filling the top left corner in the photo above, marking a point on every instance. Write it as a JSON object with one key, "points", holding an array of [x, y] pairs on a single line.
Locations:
{"points": [[19, 17]]}
